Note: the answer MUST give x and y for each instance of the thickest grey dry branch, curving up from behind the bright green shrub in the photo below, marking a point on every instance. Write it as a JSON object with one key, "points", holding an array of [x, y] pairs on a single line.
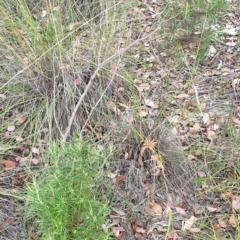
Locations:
{"points": [[118, 53]]}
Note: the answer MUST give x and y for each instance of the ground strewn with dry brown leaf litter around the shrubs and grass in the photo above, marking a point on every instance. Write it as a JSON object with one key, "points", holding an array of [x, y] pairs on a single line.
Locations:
{"points": [[199, 110]]}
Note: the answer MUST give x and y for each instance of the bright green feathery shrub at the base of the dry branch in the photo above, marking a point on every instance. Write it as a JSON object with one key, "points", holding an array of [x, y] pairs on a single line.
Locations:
{"points": [[63, 203]]}
